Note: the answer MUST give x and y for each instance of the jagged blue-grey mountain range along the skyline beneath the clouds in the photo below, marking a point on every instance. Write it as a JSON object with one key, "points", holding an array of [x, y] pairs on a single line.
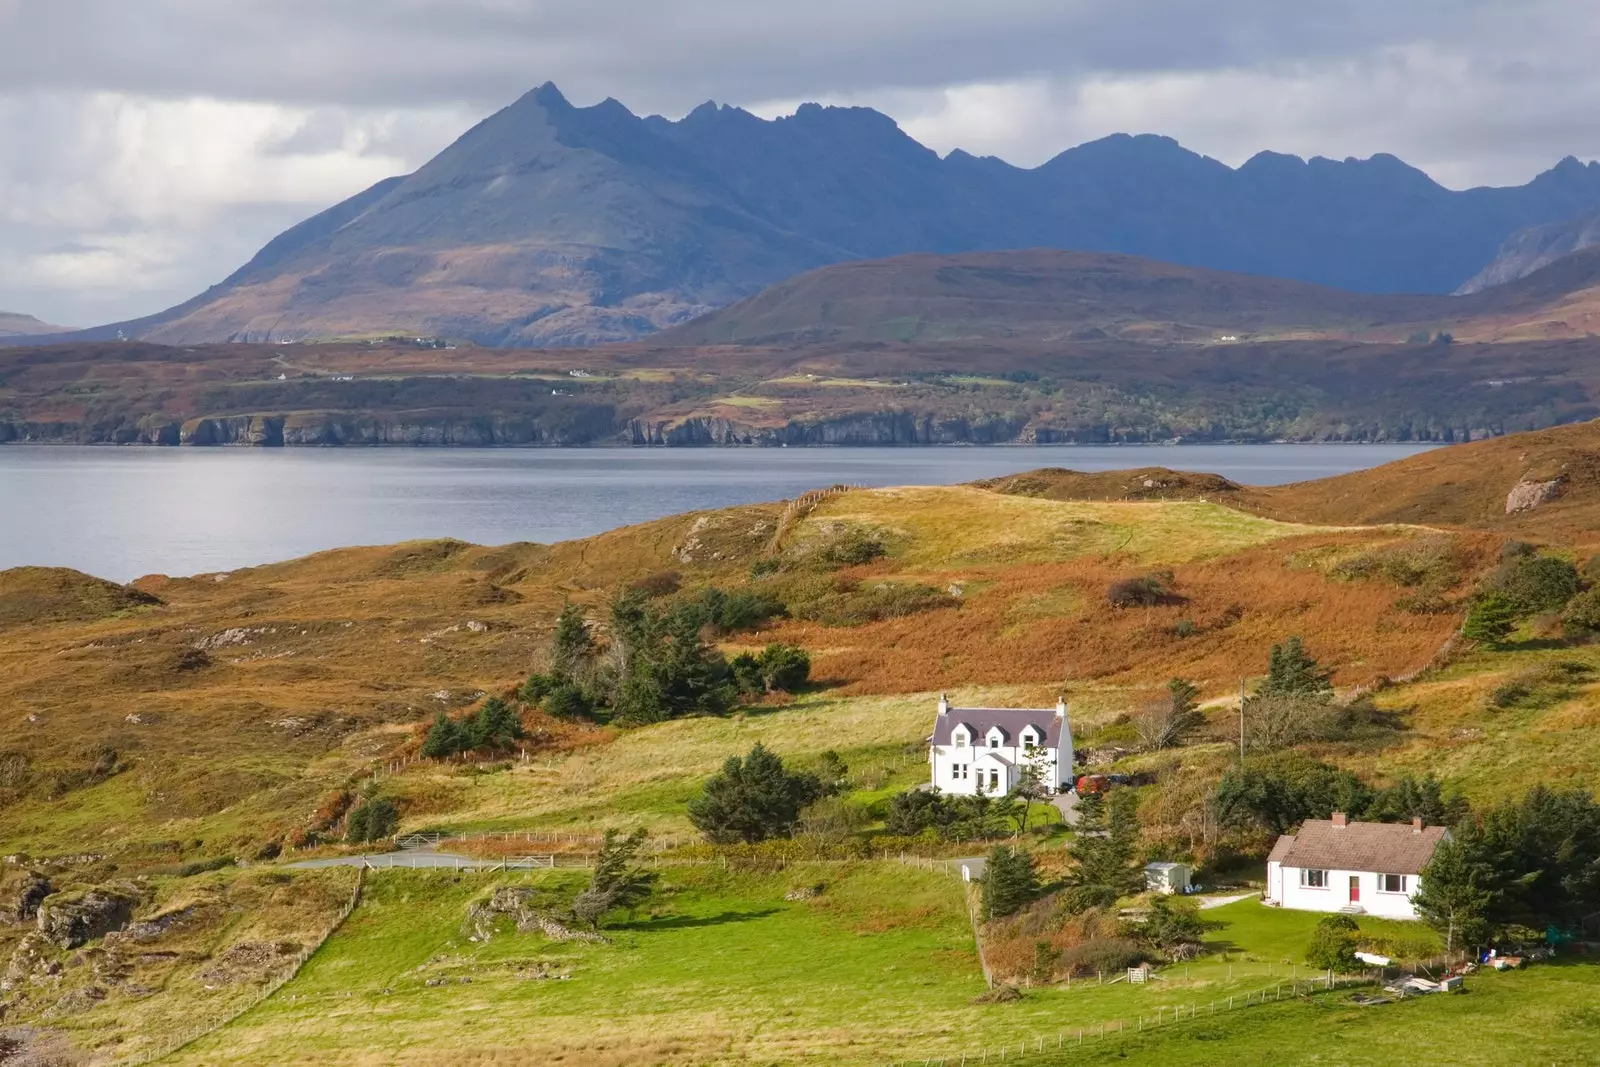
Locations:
{"points": [[550, 225]]}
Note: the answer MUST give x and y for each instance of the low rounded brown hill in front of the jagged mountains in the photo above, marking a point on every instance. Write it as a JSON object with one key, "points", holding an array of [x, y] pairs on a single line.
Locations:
{"points": [[1046, 295]]}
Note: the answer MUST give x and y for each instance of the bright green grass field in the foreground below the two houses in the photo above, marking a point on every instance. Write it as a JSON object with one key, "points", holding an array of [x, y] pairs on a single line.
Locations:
{"points": [[724, 970]]}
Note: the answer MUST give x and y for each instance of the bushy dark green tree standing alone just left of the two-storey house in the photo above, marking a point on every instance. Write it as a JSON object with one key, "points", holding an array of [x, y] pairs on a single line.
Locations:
{"points": [[753, 799]]}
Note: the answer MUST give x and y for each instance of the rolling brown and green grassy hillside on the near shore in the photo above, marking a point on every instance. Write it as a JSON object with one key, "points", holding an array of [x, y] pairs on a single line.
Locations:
{"points": [[183, 757]]}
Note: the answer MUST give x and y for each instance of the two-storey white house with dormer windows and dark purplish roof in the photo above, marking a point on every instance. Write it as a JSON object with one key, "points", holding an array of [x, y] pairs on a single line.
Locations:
{"points": [[985, 749]]}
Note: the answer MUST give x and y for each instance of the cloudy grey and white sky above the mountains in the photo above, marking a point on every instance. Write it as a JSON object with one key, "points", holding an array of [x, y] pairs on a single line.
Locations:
{"points": [[150, 148]]}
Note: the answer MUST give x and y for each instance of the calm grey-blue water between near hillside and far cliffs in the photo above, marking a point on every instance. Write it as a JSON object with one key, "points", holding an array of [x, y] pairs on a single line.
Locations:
{"points": [[124, 513]]}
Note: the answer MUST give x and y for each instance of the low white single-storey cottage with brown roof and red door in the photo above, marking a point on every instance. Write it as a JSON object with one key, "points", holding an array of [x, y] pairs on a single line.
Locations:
{"points": [[1353, 868]]}
